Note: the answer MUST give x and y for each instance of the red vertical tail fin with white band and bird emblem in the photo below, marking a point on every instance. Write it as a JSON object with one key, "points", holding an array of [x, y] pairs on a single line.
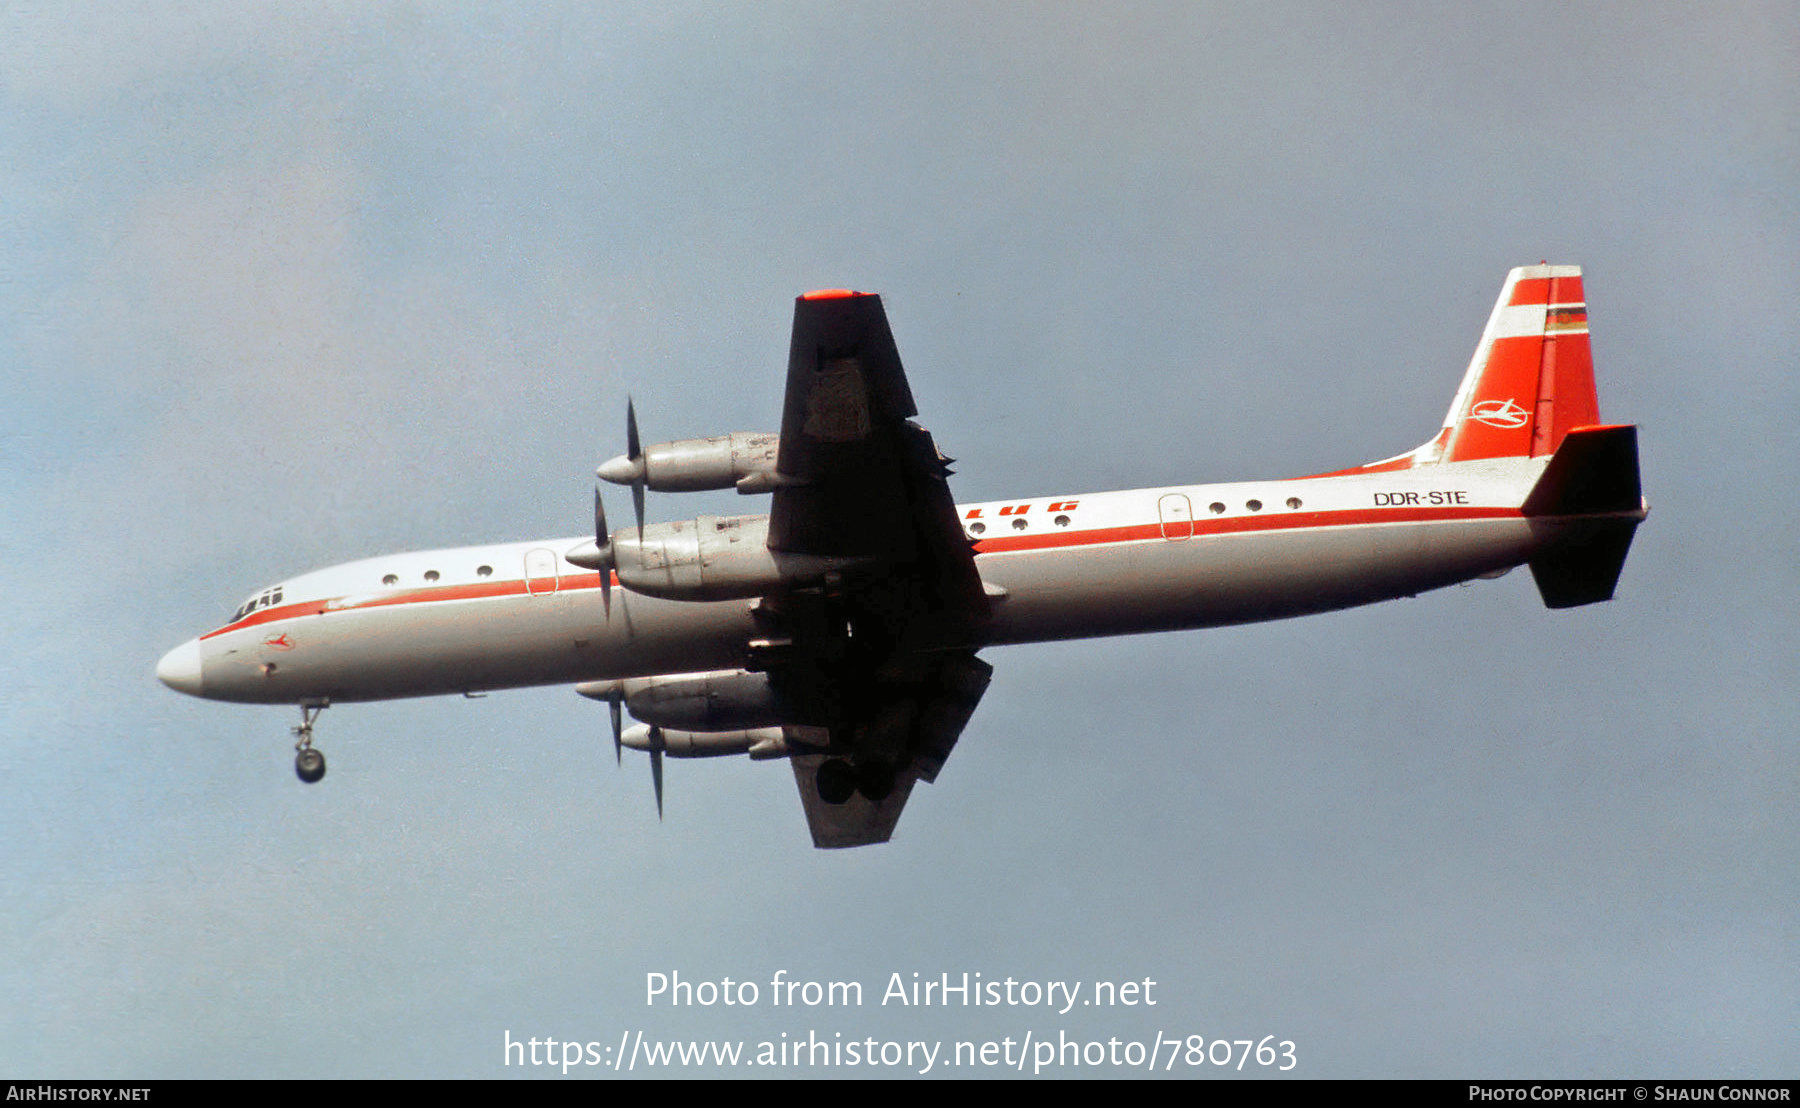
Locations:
{"points": [[1531, 380]]}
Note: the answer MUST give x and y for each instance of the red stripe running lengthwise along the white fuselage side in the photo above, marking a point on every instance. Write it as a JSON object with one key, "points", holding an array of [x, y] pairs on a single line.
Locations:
{"points": [[1099, 537]]}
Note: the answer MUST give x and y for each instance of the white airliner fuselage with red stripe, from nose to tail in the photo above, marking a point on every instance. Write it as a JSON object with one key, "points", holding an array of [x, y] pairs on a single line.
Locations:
{"points": [[1059, 567]]}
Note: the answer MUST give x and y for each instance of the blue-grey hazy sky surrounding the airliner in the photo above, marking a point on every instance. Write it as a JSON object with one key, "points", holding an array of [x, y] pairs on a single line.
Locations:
{"points": [[285, 287]]}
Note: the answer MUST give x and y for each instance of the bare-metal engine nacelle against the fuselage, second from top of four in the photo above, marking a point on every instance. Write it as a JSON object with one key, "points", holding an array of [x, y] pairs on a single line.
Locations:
{"points": [[712, 558]]}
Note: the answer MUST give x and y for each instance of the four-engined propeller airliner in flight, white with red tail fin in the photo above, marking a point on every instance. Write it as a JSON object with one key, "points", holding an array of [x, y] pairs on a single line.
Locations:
{"points": [[841, 630]]}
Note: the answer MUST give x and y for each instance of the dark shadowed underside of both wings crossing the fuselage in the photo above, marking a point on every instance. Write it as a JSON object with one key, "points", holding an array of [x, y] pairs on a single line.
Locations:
{"points": [[886, 650]]}
